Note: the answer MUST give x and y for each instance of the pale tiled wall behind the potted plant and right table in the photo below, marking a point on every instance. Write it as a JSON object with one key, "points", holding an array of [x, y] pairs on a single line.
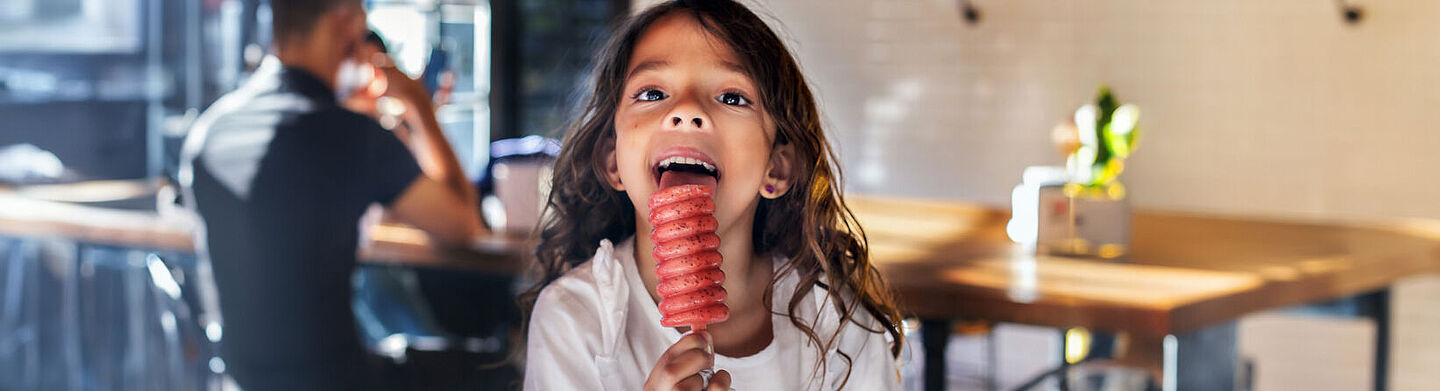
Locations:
{"points": [[1262, 109]]}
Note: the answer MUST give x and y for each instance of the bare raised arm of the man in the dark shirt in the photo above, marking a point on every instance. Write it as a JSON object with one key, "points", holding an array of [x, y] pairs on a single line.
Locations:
{"points": [[443, 202]]}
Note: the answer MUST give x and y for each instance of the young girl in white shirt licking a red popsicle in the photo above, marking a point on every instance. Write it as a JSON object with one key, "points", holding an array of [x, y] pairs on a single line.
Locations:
{"points": [[706, 81]]}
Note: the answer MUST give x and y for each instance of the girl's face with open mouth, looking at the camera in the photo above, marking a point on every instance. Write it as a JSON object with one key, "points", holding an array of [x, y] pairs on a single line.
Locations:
{"points": [[686, 96]]}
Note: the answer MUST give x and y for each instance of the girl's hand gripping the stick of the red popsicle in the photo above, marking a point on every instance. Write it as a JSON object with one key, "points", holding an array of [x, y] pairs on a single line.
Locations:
{"points": [[679, 367]]}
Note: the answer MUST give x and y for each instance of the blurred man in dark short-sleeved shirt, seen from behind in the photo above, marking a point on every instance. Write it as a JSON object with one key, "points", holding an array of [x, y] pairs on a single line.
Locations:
{"points": [[282, 173]]}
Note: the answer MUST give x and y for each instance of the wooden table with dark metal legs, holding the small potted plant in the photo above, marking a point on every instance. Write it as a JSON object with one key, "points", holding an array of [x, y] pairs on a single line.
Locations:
{"points": [[1186, 272]]}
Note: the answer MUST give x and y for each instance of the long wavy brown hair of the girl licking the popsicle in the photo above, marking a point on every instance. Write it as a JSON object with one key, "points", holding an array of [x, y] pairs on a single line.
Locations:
{"points": [[811, 225]]}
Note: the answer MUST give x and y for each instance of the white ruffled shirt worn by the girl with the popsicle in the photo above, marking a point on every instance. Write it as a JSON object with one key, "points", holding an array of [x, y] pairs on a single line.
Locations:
{"points": [[597, 328]]}
